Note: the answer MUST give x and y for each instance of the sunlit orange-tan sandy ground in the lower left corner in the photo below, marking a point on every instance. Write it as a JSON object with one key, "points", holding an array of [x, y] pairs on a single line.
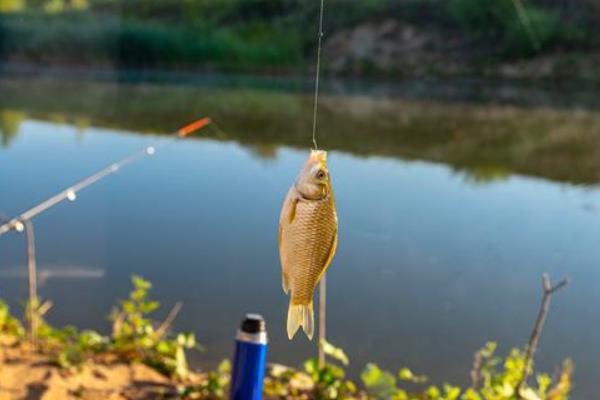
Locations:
{"points": [[25, 374]]}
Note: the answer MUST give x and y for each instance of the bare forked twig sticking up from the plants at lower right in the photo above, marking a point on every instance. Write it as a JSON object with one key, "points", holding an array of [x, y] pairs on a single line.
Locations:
{"points": [[534, 339]]}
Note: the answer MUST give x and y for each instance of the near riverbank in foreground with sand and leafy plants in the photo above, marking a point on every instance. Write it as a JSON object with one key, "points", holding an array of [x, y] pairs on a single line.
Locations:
{"points": [[142, 359]]}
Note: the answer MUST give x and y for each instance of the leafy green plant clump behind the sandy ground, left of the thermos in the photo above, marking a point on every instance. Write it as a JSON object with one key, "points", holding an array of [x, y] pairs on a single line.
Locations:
{"points": [[134, 337]]}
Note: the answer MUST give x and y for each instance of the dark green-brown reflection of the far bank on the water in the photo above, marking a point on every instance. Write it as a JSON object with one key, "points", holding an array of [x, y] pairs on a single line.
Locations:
{"points": [[486, 142]]}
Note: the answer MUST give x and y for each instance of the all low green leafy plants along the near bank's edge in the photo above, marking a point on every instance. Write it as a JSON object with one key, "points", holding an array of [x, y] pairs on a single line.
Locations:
{"points": [[135, 339]]}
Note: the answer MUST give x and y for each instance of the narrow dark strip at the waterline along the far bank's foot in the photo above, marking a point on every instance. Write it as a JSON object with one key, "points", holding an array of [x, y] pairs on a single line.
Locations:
{"points": [[479, 89]]}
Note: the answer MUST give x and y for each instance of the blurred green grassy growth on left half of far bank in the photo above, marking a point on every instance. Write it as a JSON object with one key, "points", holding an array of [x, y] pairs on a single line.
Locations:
{"points": [[78, 39]]}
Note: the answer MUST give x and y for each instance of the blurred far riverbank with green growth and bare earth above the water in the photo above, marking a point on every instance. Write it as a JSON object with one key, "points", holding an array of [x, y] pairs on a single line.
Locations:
{"points": [[405, 39]]}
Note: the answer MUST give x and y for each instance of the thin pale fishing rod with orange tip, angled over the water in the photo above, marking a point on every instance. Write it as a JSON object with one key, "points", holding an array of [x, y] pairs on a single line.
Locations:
{"points": [[18, 223]]}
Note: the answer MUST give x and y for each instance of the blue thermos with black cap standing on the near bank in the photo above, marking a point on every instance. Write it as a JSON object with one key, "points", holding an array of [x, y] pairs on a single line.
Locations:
{"points": [[250, 359]]}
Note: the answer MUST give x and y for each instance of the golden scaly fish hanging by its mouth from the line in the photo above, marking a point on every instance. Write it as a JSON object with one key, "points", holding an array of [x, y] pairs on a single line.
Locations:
{"points": [[308, 237]]}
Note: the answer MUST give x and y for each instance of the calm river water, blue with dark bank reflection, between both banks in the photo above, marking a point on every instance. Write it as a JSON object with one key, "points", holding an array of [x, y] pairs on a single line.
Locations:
{"points": [[449, 214]]}
